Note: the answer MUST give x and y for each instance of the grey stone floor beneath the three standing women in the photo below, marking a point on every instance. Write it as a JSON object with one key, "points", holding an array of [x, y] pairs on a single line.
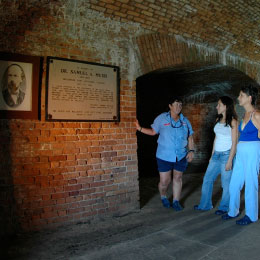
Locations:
{"points": [[153, 232]]}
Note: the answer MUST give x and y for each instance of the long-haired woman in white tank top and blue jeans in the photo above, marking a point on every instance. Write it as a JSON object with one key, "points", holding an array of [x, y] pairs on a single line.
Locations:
{"points": [[224, 149]]}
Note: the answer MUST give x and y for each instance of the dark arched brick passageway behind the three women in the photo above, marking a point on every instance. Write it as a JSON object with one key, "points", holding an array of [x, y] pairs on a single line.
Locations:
{"points": [[199, 85]]}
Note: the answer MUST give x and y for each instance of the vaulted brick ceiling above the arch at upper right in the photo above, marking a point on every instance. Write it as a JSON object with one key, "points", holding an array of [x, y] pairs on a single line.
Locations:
{"points": [[232, 25]]}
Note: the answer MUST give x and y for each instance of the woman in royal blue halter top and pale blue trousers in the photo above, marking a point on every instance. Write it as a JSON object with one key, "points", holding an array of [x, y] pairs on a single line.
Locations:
{"points": [[246, 168]]}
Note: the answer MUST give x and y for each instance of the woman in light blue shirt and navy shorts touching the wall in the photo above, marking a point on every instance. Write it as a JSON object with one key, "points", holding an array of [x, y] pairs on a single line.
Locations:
{"points": [[175, 149]]}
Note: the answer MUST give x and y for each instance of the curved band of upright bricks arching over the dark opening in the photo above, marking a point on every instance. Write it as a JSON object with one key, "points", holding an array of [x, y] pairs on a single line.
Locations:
{"points": [[161, 51]]}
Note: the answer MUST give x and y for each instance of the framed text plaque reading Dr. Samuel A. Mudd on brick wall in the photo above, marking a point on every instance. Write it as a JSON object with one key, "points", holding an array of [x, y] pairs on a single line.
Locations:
{"points": [[81, 91]]}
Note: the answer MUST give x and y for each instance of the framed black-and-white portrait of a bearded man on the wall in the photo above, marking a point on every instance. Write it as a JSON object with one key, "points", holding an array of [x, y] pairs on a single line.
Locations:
{"points": [[19, 86]]}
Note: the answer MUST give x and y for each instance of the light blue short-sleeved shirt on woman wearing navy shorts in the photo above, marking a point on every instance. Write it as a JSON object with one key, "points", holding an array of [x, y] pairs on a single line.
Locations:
{"points": [[173, 136]]}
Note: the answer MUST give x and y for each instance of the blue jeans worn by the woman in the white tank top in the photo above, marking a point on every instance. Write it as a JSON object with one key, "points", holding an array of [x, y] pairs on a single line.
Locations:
{"points": [[216, 166]]}
